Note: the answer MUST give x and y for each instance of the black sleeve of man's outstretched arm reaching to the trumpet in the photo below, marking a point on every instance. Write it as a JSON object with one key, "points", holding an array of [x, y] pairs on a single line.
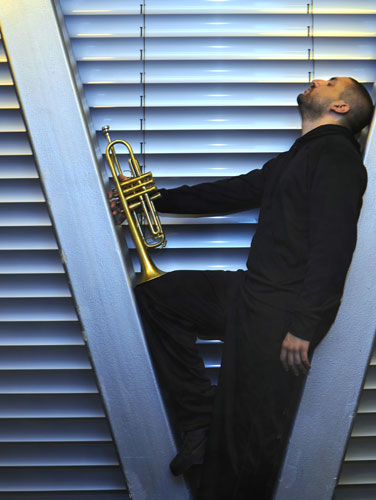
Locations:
{"points": [[227, 195]]}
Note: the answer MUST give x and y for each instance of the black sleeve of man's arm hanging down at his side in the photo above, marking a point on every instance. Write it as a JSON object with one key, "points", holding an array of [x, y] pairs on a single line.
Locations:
{"points": [[335, 201]]}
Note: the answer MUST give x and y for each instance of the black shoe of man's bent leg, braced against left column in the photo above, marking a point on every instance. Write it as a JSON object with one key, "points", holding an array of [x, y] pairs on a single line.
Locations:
{"points": [[192, 452]]}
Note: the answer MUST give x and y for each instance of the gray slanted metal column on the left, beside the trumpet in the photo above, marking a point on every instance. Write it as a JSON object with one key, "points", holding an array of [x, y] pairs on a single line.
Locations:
{"points": [[62, 141]]}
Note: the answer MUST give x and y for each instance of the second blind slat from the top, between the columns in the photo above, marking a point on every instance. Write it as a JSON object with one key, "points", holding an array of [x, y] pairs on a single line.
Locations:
{"points": [[270, 25]]}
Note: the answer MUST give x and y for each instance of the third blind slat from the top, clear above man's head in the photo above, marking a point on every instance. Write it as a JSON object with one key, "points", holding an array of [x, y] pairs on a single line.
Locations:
{"points": [[220, 48]]}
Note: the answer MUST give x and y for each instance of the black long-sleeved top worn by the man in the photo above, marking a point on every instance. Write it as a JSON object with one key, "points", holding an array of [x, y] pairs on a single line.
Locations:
{"points": [[309, 198]]}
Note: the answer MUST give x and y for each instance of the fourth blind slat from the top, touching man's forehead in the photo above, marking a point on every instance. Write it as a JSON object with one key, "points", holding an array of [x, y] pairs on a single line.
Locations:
{"points": [[178, 72]]}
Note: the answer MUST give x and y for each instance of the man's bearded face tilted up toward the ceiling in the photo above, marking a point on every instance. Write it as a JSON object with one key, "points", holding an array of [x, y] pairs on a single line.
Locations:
{"points": [[317, 99]]}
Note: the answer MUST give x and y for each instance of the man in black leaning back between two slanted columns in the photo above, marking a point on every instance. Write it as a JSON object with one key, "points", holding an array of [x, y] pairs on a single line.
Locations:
{"points": [[270, 316]]}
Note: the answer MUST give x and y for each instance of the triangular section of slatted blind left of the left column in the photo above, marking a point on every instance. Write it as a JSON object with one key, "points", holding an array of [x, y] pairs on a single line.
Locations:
{"points": [[55, 442]]}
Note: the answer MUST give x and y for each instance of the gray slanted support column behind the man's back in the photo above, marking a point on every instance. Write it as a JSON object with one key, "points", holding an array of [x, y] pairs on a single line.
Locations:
{"points": [[330, 398]]}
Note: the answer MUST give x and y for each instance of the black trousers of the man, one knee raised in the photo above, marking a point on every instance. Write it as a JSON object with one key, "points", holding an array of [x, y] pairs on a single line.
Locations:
{"points": [[251, 411]]}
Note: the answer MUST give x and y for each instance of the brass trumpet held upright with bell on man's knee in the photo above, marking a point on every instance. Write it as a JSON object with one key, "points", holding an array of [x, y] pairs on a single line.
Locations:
{"points": [[136, 195]]}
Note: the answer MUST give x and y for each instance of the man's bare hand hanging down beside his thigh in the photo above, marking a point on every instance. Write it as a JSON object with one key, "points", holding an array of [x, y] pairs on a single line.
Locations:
{"points": [[294, 355]]}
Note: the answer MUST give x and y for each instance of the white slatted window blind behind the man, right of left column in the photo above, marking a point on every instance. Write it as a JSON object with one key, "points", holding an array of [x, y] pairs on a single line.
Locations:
{"points": [[205, 89]]}
